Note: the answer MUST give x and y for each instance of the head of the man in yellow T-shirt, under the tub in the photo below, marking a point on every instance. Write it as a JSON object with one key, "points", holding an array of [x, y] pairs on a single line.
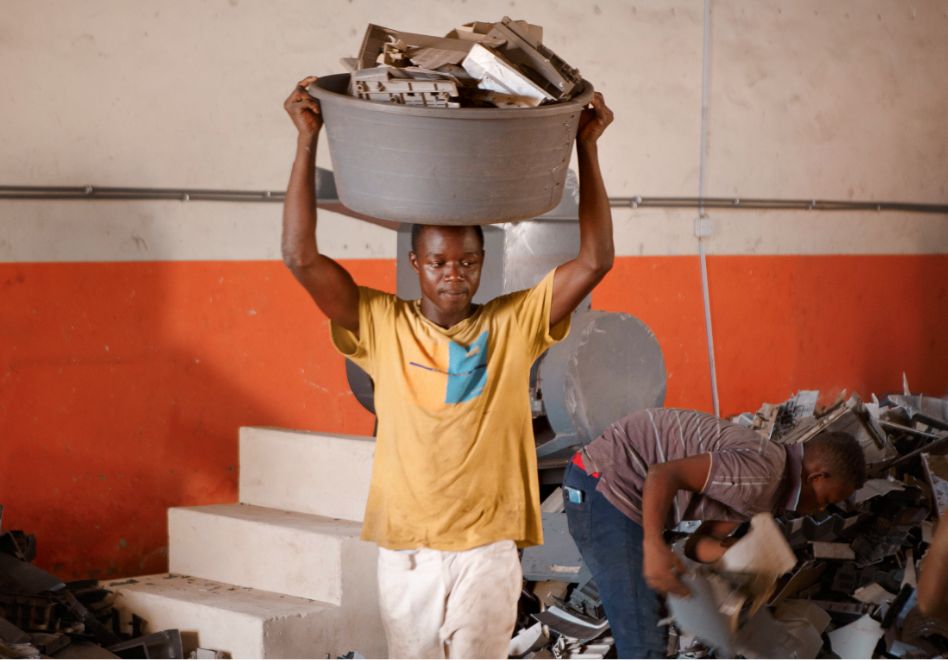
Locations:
{"points": [[448, 261]]}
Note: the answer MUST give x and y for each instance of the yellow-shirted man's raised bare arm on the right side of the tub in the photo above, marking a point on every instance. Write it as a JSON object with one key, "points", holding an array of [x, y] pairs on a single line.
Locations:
{"points": [[576, 278]]}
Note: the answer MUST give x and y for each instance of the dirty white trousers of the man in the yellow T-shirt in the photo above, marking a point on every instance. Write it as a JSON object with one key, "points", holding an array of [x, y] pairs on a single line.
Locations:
{"points": [[439, 604]]}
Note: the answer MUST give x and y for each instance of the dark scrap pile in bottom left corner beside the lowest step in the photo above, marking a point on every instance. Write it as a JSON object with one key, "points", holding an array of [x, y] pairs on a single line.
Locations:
{"points": [[41, 616]]}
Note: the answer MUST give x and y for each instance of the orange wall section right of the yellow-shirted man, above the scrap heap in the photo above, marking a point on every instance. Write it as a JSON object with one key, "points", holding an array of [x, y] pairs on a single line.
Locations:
{"points": [[783, 323]]}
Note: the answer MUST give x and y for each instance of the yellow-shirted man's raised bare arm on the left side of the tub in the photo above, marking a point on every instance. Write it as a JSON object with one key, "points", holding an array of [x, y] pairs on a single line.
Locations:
{"points": [[328, 283]]}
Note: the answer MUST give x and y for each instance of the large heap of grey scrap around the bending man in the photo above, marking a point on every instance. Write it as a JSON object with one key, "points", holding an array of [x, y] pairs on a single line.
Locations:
{"points": [[838, 584]]}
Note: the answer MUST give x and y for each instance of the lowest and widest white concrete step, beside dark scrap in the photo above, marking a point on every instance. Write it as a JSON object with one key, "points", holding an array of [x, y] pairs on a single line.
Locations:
{"points": [[243, 622]]}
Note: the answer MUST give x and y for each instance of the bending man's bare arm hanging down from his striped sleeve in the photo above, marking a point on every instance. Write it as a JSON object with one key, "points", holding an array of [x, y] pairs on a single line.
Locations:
{"points": [[660, 565]]}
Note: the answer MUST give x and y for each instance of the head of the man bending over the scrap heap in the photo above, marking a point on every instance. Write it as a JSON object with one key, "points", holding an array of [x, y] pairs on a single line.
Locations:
{"points": [[834, 467]]}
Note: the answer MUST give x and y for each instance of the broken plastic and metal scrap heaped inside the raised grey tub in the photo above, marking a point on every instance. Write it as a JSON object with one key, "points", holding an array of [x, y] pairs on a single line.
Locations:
{"points": [[502, 64]]}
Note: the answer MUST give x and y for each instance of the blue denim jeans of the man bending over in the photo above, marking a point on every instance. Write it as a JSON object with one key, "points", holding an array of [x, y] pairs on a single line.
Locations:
{"points": [[611, 546]]}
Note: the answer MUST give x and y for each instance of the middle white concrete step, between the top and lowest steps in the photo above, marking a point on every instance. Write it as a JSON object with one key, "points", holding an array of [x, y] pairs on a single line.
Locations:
{"points": [[283, 551]]}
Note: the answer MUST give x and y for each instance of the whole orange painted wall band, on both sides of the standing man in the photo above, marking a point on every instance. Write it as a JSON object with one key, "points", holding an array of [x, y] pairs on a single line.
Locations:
{"points": [[122, 385]]}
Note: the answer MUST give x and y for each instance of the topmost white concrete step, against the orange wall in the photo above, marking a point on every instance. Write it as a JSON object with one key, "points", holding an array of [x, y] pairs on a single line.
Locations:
{"points": [[323, 474]]}
